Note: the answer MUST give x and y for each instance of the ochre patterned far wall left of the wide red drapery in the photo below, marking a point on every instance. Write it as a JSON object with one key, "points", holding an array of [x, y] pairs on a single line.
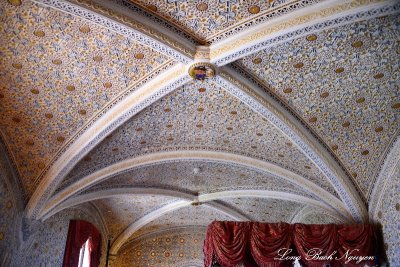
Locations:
{"points": [[177, 248]]}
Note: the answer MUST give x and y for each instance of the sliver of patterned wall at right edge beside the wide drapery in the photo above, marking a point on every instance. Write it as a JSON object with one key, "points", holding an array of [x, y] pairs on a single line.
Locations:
{"points": [[389, 217]]}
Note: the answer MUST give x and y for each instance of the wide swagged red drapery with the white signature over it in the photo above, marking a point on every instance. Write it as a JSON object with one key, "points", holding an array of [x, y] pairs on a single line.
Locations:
{"points": [[280, 244]]}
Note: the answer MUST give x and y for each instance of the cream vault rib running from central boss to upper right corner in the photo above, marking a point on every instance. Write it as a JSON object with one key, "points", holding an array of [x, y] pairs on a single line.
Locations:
{"points": [[320, 16]]}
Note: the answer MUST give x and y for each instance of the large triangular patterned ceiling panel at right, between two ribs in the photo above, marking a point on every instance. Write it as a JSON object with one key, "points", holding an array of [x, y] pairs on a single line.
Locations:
{"points": [[344, 82]]}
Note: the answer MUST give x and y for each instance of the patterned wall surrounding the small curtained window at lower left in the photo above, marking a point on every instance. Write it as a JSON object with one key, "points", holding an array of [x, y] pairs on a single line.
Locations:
{"points": [[44, 243]]}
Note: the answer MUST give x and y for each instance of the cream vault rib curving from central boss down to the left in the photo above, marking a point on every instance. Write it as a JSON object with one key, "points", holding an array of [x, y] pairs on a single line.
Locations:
{"points": [[114, 117]]}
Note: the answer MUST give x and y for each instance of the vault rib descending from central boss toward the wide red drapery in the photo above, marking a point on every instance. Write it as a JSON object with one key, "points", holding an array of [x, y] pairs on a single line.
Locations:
{"points": [[268, 107]]}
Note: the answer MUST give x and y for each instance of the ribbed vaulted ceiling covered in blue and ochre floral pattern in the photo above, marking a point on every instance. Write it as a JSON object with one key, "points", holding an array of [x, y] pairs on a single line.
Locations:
{"points": [[97, 106]]}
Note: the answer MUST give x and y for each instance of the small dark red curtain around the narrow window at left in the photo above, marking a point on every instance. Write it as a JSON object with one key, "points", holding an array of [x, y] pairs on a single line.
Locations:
{"points": [[78, 233]]}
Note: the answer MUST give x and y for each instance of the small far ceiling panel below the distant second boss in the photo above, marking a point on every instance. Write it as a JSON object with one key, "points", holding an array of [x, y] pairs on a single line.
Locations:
{"points": [[188, 216]]}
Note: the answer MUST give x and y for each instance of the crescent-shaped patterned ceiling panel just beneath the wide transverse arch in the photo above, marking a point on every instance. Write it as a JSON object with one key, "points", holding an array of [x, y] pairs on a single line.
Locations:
{"points": [[199, 177]]}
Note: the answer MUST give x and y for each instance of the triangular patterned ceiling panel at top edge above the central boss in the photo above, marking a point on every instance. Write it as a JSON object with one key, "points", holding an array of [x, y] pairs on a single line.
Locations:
{"points": [[210, 21]]}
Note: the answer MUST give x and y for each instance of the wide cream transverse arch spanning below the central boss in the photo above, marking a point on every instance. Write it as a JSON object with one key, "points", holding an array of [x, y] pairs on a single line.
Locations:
{"points": [[162, 157]]}
